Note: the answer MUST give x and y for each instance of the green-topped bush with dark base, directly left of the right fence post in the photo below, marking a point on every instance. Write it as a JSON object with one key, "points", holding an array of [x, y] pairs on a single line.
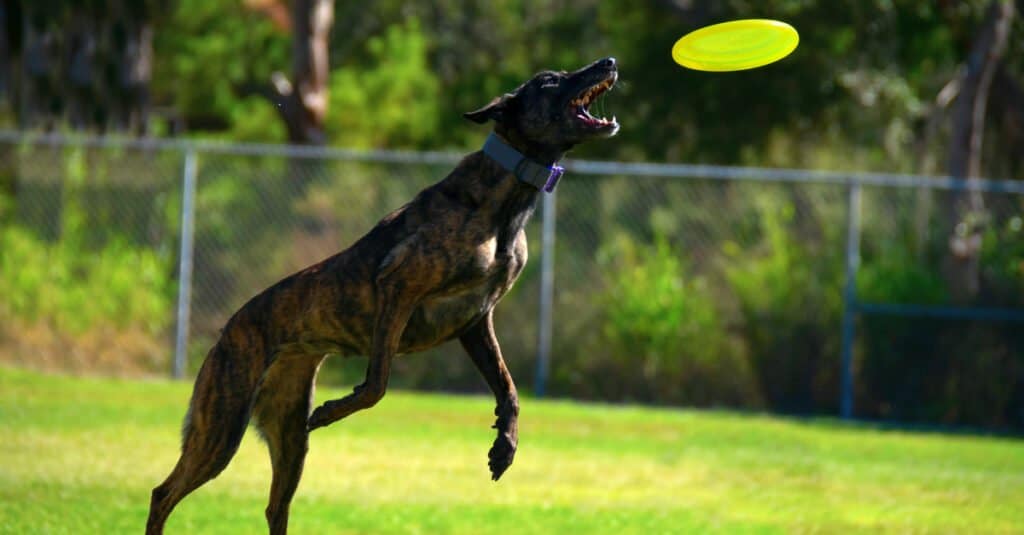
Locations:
{"points": [[789, 293]]}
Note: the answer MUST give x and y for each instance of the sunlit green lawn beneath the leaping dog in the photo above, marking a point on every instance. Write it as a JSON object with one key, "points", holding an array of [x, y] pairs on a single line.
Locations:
{"points": [[80, 456]]}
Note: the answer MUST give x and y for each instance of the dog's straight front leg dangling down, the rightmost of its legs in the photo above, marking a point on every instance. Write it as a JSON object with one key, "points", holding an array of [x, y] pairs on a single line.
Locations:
{"points": [[482, 345]]}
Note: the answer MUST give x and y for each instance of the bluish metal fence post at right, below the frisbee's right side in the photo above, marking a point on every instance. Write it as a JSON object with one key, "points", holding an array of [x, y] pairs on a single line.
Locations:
{"points": [[850, 300]]}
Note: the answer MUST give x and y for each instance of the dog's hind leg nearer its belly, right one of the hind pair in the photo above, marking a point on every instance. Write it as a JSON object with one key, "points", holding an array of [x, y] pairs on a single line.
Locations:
{"points": [[282, 408]]}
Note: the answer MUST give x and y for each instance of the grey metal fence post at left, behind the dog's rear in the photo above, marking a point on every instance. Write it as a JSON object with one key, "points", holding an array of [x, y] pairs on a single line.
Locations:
{"points": [[186, 264]]}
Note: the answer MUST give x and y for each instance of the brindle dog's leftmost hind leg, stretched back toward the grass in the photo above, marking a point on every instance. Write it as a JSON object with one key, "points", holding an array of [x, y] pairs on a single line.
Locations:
{"points": [[215, 427]]}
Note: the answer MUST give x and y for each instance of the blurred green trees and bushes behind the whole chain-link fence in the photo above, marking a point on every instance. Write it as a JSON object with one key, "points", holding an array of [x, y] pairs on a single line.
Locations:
{"points": [[705, 295]]}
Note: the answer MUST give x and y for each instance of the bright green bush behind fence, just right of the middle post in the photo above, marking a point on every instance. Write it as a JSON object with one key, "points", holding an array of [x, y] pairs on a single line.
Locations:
{"points": [[664, 328]]}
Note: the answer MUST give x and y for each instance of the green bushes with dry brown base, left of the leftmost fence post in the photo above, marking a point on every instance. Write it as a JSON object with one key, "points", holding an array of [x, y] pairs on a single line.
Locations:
{"points": [[86, 273]]}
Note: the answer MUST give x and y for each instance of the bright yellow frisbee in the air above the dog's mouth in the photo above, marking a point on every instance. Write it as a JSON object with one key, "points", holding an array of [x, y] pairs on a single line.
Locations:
{"points": [[736, 46]]}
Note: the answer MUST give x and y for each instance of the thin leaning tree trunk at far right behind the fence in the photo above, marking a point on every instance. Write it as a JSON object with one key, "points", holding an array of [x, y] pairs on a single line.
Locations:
{"points": [[967, 210]]}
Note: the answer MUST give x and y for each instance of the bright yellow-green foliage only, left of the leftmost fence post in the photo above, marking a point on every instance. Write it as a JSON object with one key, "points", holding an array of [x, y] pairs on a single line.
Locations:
{"points": [[84, 277]]}
